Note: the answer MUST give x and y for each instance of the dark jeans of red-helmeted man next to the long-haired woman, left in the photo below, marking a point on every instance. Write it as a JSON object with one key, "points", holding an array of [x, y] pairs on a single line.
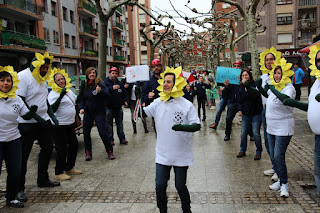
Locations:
{"points": [[117, 114]]}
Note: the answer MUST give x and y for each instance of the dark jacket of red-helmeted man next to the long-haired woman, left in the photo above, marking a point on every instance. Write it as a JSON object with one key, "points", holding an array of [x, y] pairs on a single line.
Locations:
{"points": [[115, 98]]}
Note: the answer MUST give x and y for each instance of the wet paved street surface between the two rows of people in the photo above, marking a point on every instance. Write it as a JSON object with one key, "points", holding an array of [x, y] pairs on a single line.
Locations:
{"points": [[218, 181]]}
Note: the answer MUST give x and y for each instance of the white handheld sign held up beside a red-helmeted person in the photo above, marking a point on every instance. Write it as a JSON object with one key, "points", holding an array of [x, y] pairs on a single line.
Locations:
{"points": [[137, 73]]}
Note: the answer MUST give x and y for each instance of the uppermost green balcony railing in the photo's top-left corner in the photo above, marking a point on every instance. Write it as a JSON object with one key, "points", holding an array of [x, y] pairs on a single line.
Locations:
{"points": [[26, 5]]}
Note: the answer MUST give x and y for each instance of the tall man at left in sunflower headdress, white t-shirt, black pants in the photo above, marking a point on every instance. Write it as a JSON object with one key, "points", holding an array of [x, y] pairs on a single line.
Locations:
{"points": [[33, 90]]}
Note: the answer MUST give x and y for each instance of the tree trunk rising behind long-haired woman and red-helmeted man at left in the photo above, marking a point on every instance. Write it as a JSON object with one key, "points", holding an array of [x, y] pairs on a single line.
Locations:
{"points": [[103, 26]]}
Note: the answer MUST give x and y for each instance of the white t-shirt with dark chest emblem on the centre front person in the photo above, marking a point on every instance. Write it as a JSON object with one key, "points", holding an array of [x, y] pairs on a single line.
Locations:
{"points": [[174, 148]]}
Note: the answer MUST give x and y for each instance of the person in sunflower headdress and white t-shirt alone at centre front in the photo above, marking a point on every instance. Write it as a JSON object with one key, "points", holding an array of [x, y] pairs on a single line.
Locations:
{"points": [[175, 120]]}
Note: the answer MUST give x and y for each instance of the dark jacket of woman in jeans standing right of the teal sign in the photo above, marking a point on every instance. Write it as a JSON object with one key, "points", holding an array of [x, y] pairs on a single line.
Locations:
{"points": [[249, 103]]}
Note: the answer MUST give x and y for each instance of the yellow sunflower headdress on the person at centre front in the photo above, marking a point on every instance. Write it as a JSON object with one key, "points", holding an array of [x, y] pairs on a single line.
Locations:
{"points": [[177, 89]]}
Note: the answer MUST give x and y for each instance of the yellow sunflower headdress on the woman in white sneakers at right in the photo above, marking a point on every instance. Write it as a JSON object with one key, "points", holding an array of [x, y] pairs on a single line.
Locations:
{"points": [[286, 74]]}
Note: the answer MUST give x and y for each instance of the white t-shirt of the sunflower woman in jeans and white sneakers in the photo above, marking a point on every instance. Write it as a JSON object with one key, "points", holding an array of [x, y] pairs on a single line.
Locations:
{"points": [[279, 117]]}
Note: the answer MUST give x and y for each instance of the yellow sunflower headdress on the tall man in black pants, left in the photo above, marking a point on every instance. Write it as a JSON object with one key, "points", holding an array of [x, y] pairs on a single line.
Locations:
{"points": [[36, 63]]}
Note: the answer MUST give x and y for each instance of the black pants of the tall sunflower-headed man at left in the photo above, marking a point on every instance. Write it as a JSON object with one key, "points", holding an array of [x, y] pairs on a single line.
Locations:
{"points": [[31, 132]]}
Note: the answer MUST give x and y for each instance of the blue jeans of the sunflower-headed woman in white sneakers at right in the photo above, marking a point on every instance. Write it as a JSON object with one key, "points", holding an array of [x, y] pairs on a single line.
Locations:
{"points": [[278, 146]]}
